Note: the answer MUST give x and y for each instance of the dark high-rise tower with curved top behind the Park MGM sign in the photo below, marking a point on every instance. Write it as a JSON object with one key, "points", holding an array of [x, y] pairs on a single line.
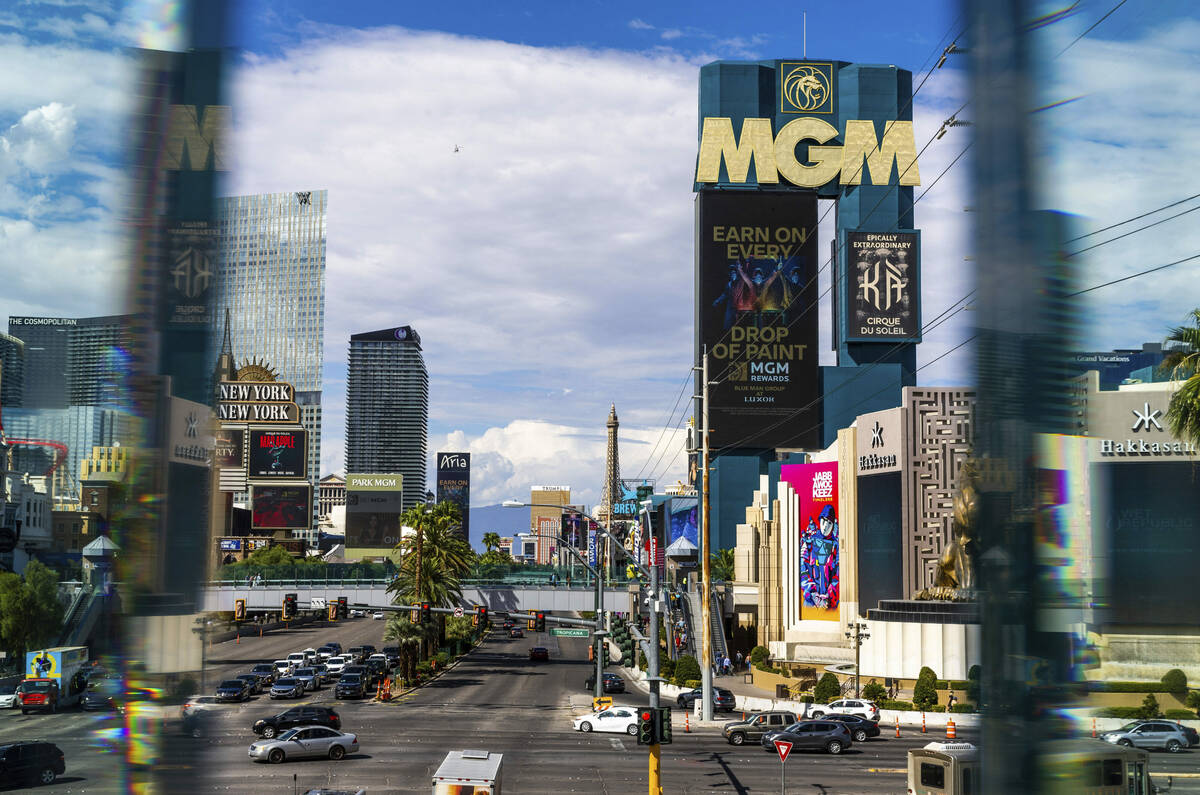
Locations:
{"points": [[388, 408]]}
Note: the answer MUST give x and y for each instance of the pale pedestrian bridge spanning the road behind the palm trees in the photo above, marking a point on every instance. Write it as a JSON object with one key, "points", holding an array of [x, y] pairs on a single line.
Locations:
{"points": [[496, 596]]}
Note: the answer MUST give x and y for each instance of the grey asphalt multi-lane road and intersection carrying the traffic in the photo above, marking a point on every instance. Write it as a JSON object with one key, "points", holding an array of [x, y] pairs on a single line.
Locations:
{"points": [[495, 700]]}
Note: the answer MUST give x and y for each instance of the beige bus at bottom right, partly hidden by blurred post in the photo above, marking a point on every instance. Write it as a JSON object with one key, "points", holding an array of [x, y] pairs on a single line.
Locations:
{"points": [[1072, 767]]}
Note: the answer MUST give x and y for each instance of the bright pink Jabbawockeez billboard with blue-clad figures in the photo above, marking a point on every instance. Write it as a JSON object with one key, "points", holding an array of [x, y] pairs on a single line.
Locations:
{"points": [[820, 560]]}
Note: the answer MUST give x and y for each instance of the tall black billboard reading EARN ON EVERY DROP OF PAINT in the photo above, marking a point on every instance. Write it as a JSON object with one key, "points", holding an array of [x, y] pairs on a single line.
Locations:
{"points": [[757, 258]]}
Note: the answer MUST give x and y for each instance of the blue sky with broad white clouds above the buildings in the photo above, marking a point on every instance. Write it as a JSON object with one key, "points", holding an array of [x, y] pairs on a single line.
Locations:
{"points": [[548, 265]]}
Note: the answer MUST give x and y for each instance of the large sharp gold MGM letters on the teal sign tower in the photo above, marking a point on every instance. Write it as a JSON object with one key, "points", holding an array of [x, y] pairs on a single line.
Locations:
{"points": [[776, 157]]}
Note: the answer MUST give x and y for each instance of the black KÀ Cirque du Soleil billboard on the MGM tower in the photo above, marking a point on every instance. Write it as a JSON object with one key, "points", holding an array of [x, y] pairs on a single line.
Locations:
{"points": [[885, 297]]}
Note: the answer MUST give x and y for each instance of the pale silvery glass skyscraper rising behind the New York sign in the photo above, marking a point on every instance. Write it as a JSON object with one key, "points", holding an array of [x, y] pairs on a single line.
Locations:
{"points": [[273, 284]]}
